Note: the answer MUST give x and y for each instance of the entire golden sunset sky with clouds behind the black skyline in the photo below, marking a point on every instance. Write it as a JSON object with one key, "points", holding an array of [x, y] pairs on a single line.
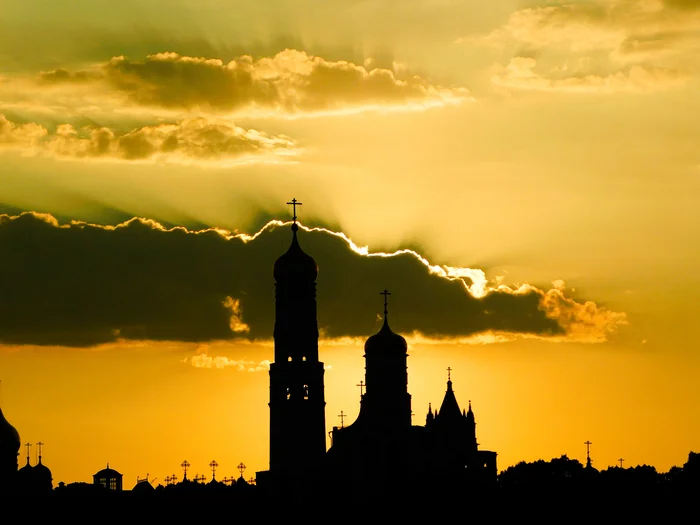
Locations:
{"points": [[523, 176]]}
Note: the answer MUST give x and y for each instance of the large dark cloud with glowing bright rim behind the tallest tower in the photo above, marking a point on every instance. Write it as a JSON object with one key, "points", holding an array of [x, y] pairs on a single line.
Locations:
{"points": [[80, 284]]}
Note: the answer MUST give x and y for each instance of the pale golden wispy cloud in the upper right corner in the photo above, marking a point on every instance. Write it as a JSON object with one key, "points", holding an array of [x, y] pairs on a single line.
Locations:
{"points": [[600, 46]]}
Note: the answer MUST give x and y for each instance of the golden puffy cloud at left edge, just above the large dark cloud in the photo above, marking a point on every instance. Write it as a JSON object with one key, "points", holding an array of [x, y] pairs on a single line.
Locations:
{"points": [[191, 140]]}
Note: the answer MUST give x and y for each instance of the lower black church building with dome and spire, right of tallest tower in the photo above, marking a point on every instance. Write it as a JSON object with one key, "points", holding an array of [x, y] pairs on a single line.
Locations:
{"points": [[383, 448]]}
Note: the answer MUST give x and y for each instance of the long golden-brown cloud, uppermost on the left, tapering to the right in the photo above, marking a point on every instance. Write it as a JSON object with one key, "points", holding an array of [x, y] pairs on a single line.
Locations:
{"points": [[290, 82]]}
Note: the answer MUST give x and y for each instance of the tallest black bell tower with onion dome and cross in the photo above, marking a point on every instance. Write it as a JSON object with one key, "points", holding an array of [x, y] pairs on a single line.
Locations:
{"points": [[297, 401]]}
